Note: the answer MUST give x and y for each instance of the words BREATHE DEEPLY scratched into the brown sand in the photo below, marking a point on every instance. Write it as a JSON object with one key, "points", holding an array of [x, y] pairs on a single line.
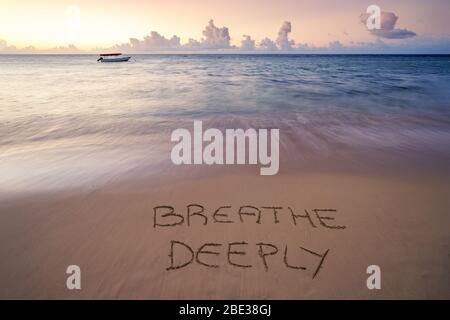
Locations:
{"points": [[235, 253]]}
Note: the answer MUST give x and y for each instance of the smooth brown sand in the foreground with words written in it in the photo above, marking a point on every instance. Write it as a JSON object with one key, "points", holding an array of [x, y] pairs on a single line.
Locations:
{"points": [[398, 222]]}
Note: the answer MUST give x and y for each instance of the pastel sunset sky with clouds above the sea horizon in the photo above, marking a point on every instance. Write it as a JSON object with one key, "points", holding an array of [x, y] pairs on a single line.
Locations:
{"points": [[185, 25]]}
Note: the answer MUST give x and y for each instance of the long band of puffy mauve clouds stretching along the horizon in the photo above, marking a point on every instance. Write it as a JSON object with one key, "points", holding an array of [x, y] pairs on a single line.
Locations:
{"points": [[217, 39]]}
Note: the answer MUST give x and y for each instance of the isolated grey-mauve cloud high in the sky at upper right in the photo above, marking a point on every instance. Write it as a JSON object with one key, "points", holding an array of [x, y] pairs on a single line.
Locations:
{"points": [[388, 30]]}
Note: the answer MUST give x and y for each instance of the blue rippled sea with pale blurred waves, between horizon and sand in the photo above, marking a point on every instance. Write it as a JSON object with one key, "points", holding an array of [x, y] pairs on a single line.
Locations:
{"points": [[67, 121]]}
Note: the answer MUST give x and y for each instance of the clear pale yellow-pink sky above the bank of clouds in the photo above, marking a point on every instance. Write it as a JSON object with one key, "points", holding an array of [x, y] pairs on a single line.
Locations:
{"points": [[93, 24]]}
